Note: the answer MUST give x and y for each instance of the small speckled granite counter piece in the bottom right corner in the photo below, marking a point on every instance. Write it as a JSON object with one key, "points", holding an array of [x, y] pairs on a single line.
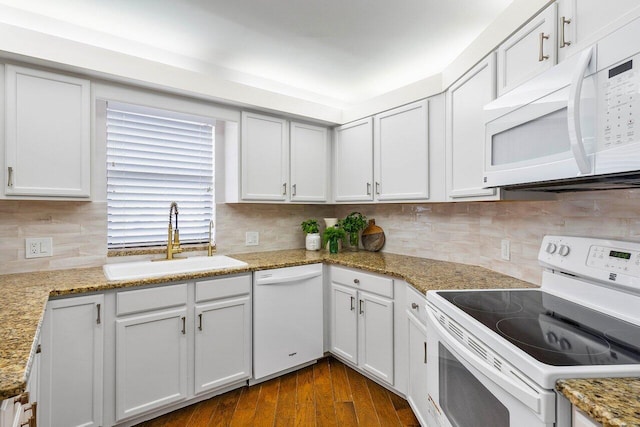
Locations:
{"points": [[613, 402]]}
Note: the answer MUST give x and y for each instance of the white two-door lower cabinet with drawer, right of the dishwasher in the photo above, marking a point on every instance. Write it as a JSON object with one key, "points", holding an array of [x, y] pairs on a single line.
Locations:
{"points": [[362, 321]]}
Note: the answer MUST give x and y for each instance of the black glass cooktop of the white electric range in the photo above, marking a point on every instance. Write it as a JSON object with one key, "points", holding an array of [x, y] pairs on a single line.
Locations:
{"points": [[551, 329]]}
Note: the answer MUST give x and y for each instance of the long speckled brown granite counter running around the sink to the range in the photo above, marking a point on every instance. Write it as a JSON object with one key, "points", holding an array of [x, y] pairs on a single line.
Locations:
{"points": [[24, 296]]}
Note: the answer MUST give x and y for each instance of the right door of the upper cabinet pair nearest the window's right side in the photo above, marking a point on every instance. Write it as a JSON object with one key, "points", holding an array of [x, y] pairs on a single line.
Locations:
{"points": [[309, 163]]}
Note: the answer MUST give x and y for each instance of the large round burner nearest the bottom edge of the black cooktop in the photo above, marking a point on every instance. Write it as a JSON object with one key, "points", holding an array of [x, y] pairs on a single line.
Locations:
{"points": [[551, 335]]}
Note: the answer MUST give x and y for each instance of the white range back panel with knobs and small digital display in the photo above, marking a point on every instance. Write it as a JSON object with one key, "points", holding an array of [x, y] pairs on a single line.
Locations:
{"points": [[604, 260]]}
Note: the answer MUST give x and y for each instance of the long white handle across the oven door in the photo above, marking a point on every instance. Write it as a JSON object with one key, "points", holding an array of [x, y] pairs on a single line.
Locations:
{"points": [[521, 391]]}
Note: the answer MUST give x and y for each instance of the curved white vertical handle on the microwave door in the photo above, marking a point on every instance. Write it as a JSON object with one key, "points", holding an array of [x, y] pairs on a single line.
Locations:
{"points": [[573, 114]]}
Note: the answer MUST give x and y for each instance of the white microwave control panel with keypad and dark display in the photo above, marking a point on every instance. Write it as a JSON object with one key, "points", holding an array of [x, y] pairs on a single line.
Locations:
{"points": [[620, 104]]}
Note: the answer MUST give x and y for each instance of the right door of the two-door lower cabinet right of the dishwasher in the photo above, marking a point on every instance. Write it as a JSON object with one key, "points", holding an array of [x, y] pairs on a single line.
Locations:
{"points": [[376, 336]]}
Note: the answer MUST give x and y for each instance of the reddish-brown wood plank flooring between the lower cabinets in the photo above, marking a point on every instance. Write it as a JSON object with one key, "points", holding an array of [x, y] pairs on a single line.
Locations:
{"points": [[328, 393]]}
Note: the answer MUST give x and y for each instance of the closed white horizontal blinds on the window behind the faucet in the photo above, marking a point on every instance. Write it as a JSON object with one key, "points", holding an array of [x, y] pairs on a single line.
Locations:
{"points": [[155, 157]]}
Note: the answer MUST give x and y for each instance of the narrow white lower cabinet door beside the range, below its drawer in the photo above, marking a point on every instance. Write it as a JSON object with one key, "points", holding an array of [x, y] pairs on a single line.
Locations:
{"points": [[417, 391]]}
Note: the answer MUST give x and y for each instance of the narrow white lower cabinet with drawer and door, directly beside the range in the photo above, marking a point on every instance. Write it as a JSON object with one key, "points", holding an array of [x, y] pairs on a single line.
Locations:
{"points": [[417, 343]]}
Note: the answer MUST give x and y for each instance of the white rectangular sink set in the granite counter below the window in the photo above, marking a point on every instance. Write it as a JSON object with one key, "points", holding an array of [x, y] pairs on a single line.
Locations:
{"points": [[144, 269]]}
